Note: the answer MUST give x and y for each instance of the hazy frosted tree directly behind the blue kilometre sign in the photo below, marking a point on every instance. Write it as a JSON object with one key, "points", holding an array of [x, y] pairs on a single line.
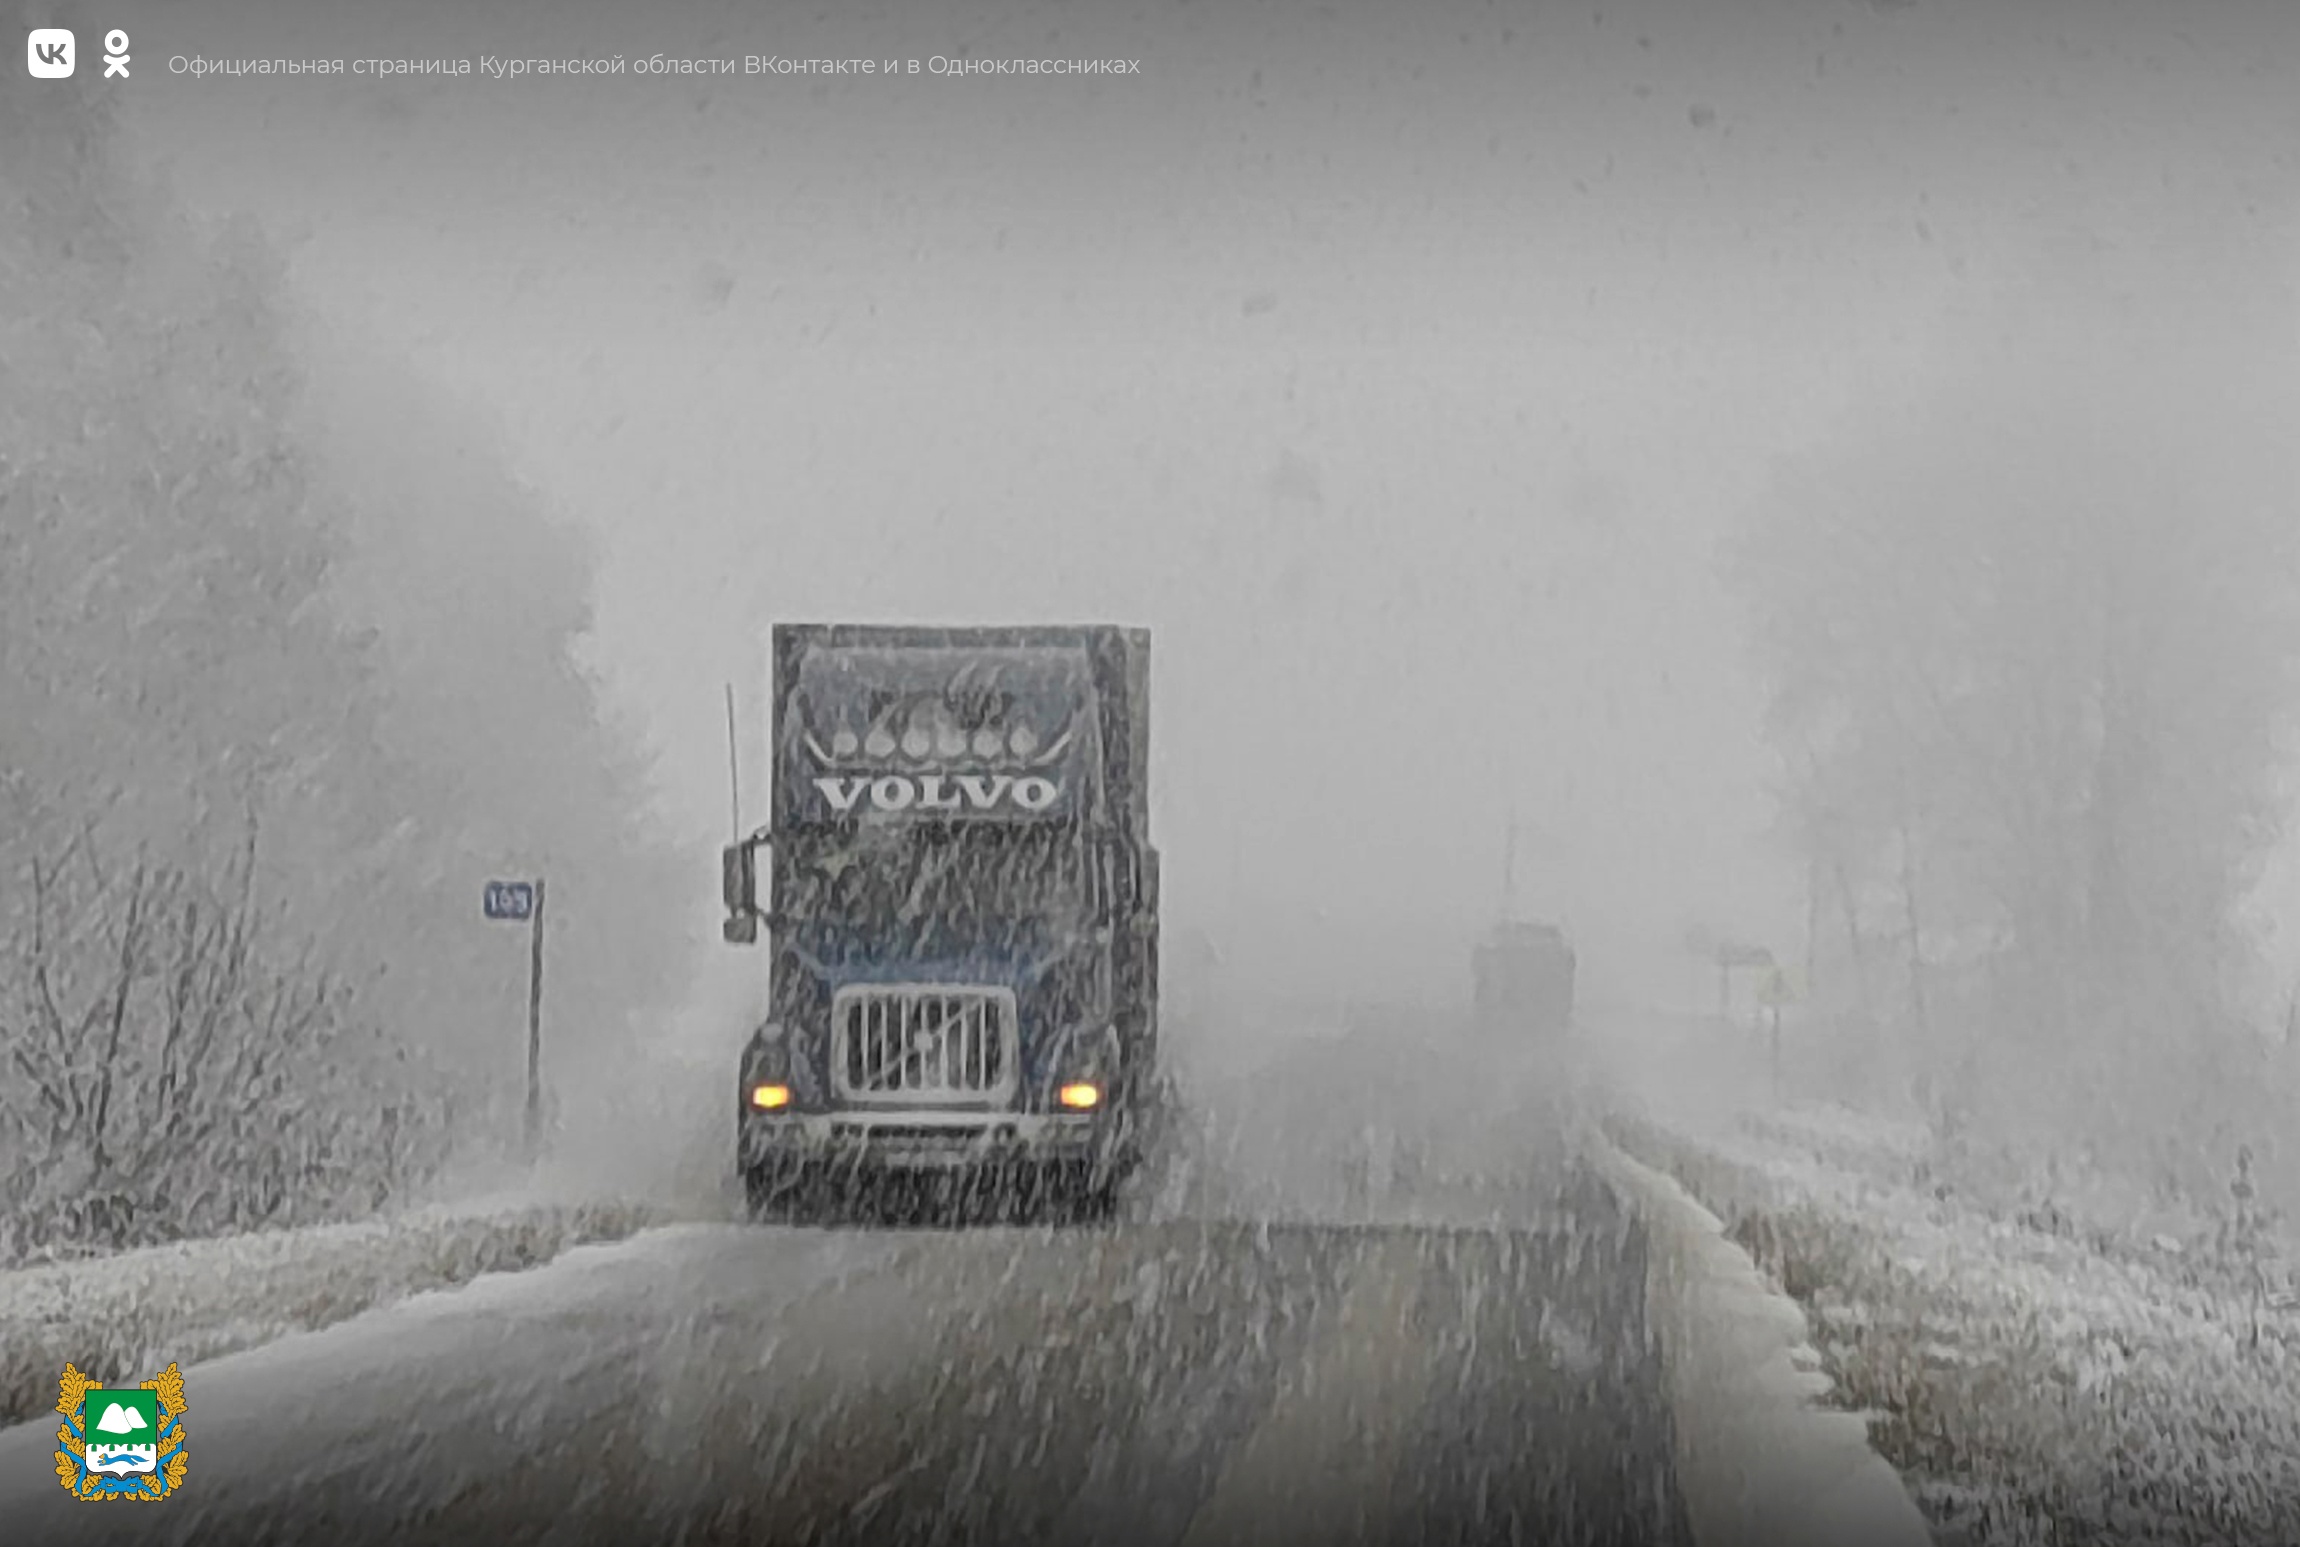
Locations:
{"points": [[503, 755]]}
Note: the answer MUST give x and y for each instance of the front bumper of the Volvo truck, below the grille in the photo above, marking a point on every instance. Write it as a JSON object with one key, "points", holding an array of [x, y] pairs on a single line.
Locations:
{"points": [[919, 1141]]}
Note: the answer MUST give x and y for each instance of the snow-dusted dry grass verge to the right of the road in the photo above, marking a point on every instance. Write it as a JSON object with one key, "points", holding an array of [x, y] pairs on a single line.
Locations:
{"points": [[2041, 1378]]}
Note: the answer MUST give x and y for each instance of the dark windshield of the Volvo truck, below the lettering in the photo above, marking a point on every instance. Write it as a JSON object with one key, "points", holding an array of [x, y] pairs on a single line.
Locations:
{"points": [[960, 884]]}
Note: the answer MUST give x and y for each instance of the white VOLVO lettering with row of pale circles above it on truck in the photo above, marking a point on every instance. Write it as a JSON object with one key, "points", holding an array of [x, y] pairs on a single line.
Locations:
{"points": [[1004, 764]]}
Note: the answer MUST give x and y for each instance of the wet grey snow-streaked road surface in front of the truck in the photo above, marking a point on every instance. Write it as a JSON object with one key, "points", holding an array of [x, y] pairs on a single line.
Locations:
{"points": [[1443, 1341]]}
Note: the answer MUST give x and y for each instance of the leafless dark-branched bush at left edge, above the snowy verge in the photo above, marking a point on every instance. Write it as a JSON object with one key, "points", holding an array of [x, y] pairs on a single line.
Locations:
{"points": [[178, 1072]]}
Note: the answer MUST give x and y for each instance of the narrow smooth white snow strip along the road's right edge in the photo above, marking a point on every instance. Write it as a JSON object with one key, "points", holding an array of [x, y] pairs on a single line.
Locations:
{"points": [[1758, 1461]]}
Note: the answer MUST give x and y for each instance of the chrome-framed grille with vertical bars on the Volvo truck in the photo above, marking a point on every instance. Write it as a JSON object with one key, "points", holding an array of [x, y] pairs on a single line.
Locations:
{"points": [[923, 1045]]}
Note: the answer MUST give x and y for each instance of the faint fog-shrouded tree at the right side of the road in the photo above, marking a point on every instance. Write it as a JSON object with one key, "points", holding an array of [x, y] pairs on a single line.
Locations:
{"points": [[2032, 633]]}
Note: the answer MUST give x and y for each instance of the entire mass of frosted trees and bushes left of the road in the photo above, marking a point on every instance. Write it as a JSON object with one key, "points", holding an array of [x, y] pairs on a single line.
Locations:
{"points": [[289, 668]]}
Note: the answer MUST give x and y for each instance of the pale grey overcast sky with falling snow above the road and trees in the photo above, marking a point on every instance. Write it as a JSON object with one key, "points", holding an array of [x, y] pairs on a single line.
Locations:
{"points": [[1397, 369]]}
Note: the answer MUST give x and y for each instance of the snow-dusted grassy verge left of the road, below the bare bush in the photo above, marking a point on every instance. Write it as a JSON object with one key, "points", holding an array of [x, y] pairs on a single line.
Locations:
{"points": [[135, 1314]]}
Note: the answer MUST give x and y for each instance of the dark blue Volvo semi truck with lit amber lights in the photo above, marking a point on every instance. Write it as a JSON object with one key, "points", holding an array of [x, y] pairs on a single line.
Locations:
{"points": [[963, 914]]}
